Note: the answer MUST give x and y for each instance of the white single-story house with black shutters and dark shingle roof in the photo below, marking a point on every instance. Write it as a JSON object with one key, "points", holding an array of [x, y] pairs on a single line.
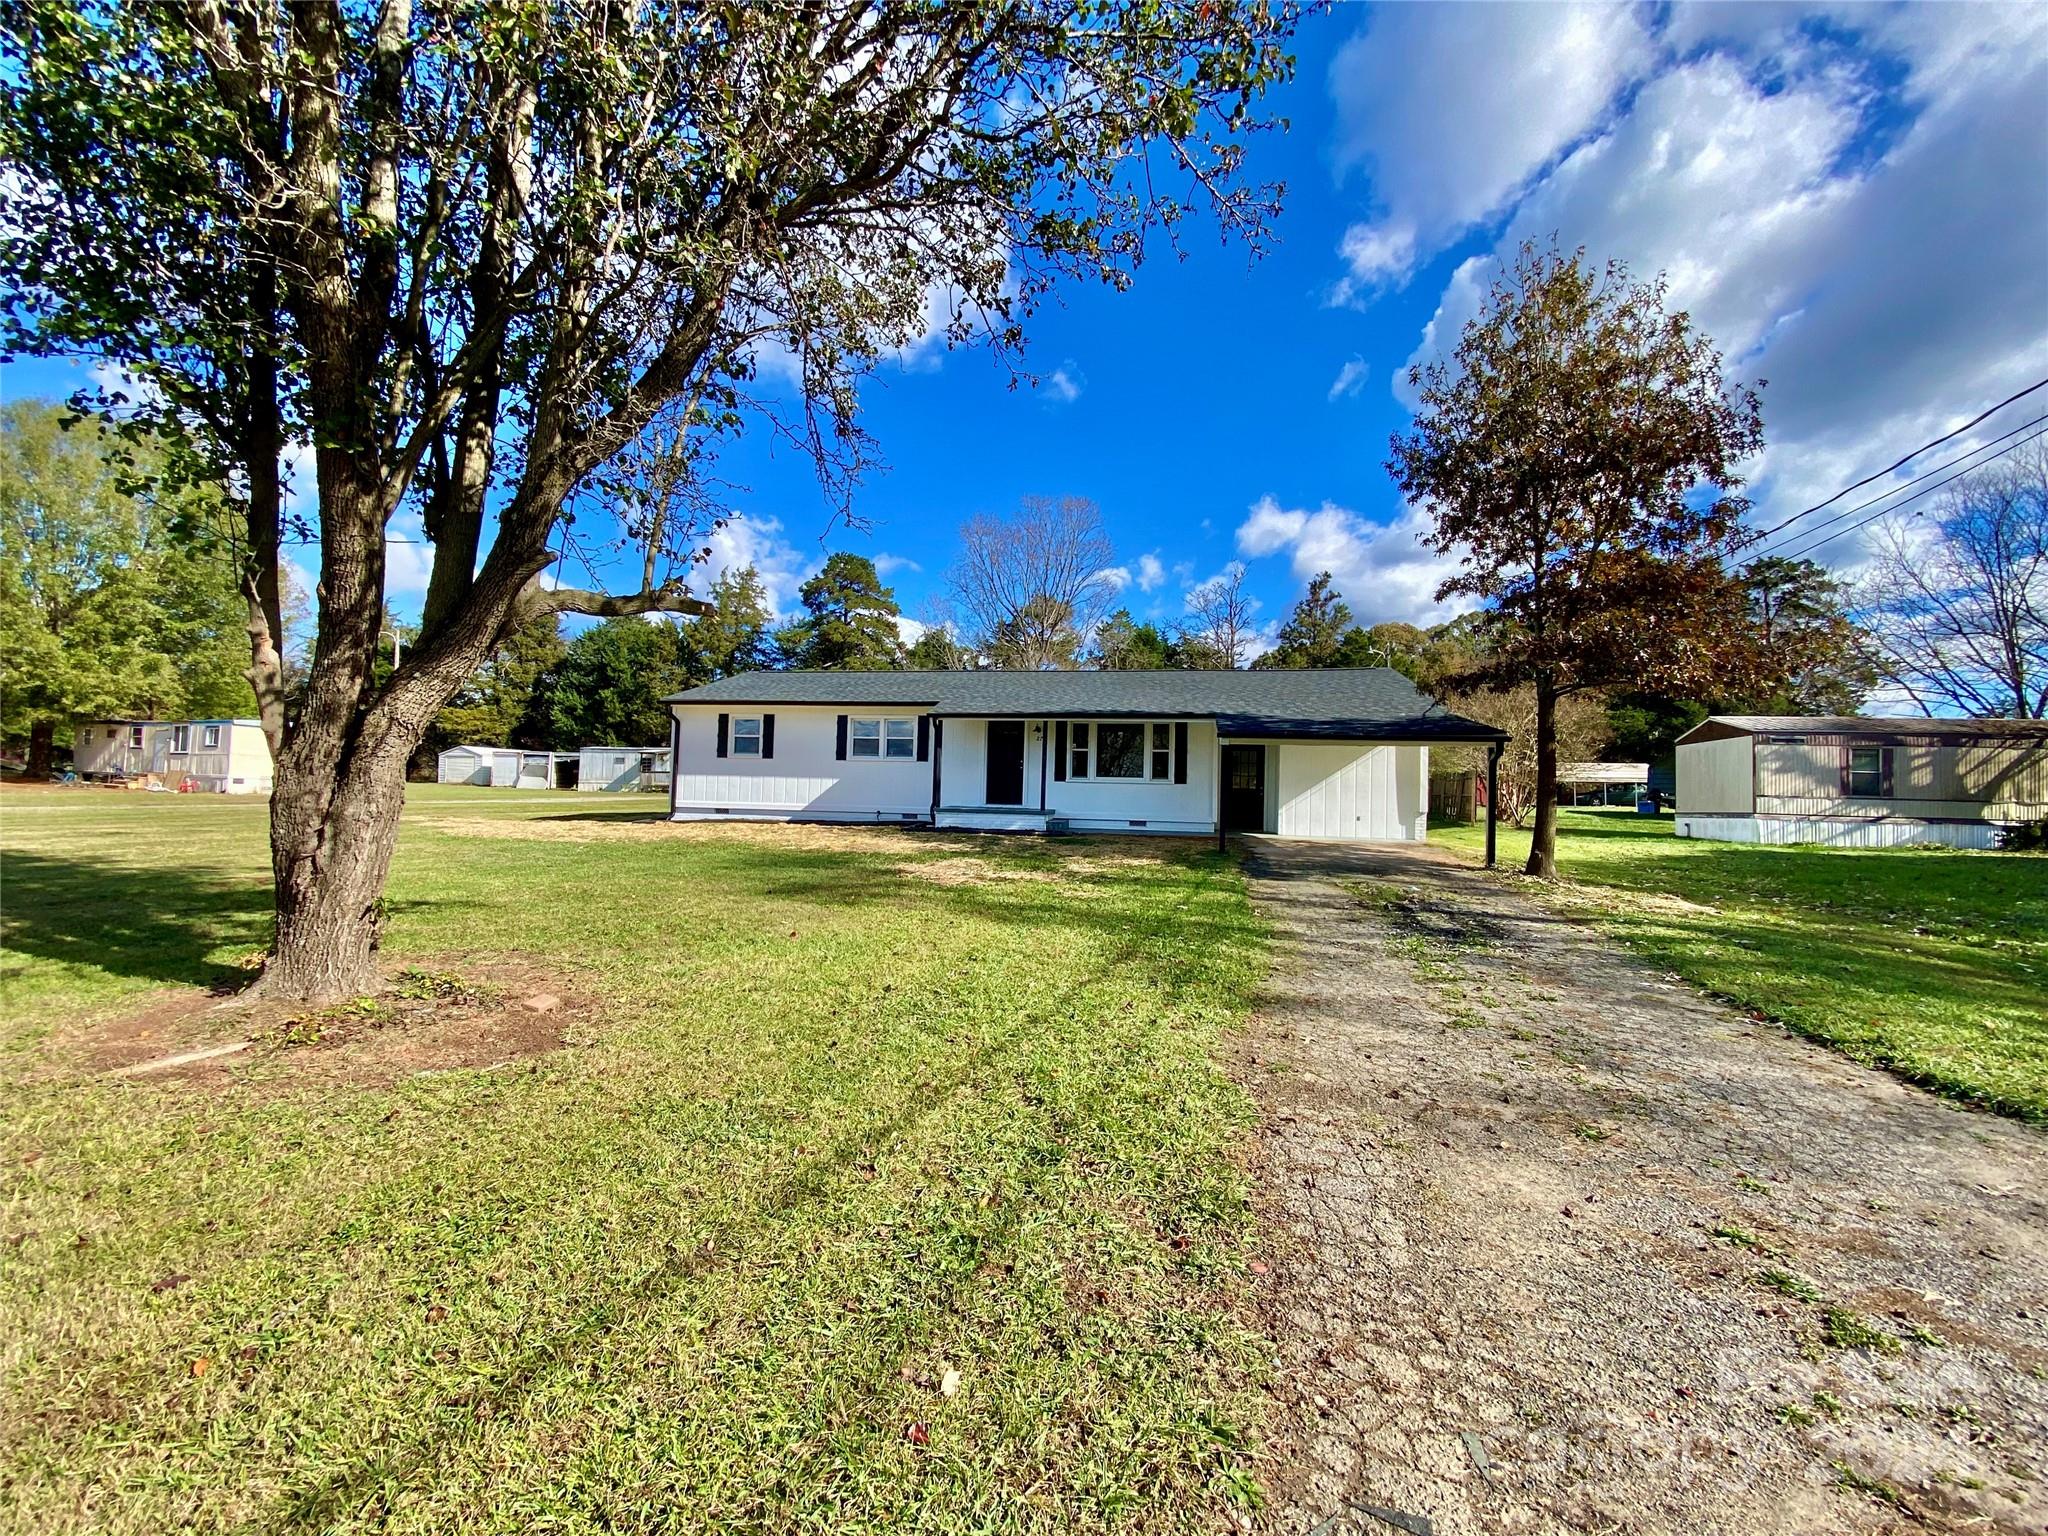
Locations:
{"points": [[1340, 755]]}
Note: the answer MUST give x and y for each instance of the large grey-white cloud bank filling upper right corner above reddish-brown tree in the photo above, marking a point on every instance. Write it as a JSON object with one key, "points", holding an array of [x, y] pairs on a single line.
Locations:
{"points": [[1854, 210]]}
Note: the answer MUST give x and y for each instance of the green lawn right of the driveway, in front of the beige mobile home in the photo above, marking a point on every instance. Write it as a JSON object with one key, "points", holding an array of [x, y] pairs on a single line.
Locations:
{"points": [[1924, 962]]}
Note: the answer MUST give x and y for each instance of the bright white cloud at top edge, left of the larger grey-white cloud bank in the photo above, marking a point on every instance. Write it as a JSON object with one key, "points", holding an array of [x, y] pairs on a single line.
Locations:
{"points": [[1453, 110]]}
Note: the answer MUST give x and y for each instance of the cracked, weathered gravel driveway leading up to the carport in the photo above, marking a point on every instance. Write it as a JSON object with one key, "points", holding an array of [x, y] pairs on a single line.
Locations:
{"points": [[1562, 1244]]}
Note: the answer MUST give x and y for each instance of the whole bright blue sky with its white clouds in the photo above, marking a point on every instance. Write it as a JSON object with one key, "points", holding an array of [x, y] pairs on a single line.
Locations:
{"points": [[1854, 202]]}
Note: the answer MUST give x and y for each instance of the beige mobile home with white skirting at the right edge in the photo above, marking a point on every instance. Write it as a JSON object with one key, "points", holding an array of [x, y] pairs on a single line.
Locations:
{"points": [[1861, 783]]}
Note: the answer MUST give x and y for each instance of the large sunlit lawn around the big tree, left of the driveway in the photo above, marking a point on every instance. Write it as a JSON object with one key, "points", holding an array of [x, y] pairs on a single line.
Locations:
{"points": [[853, 1111]]}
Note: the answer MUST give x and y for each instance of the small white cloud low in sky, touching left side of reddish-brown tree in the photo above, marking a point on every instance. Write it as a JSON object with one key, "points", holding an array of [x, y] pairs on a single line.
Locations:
{"points": [[1383, 570]]}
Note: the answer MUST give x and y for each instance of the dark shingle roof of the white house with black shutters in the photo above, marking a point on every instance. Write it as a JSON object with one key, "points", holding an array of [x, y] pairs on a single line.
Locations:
{"points": [[1336, 703]]}
